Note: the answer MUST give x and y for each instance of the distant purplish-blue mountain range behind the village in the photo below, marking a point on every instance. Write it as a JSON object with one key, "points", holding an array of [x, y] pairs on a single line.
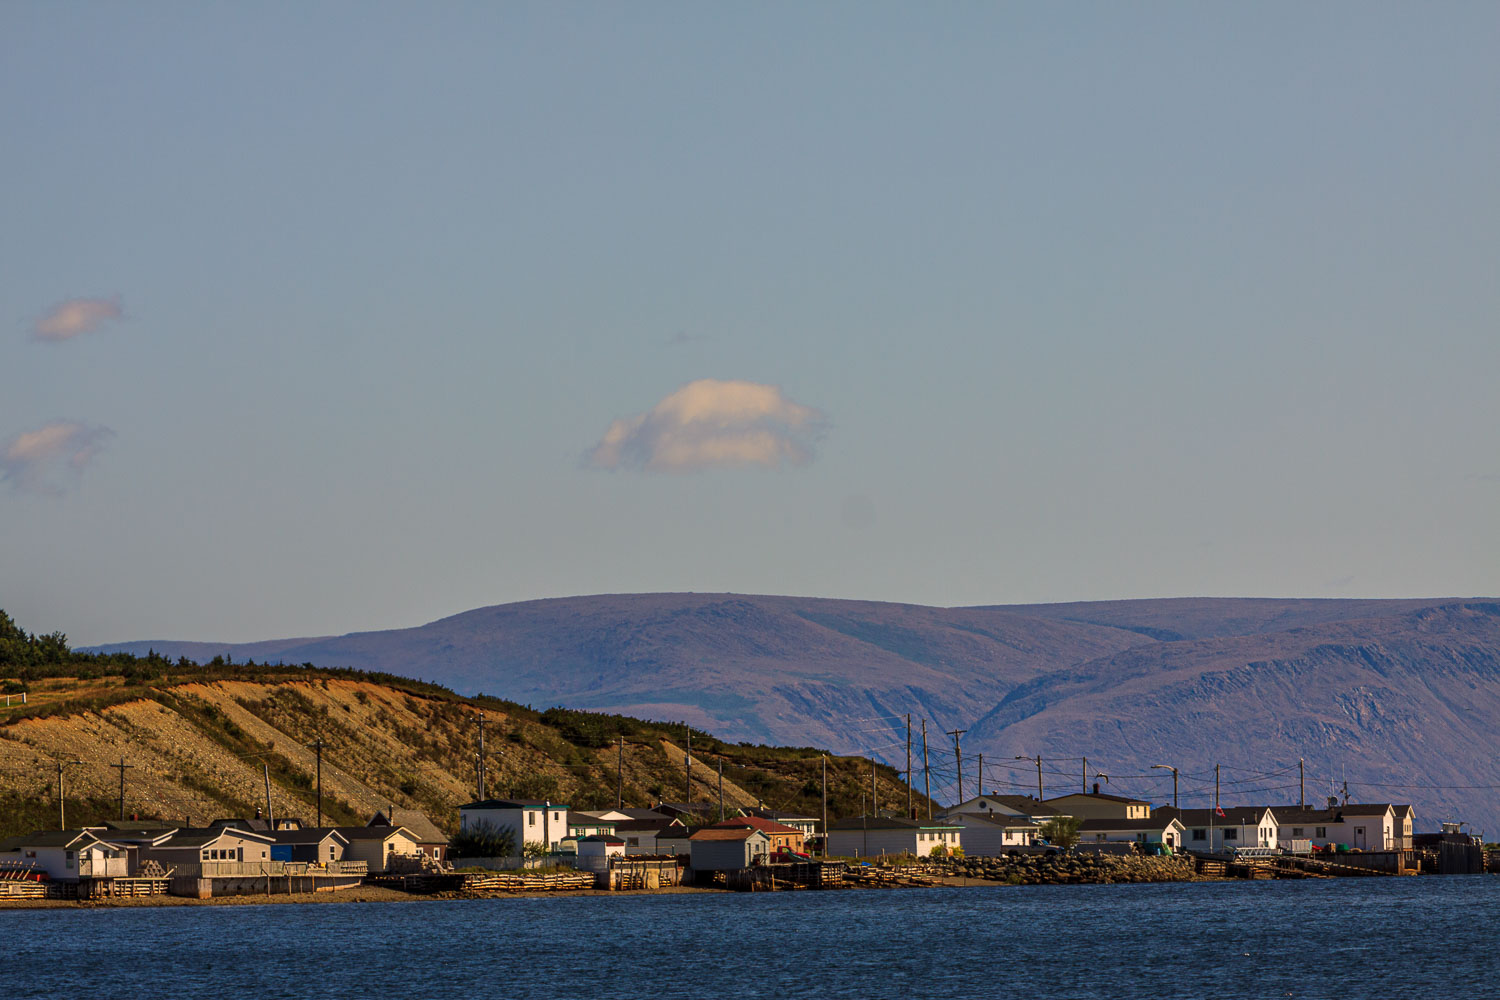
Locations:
{"points": [[1399, 698]]}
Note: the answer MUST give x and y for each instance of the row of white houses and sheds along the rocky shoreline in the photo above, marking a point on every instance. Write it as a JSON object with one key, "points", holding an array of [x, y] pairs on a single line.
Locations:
{"points": [[548, 846]]}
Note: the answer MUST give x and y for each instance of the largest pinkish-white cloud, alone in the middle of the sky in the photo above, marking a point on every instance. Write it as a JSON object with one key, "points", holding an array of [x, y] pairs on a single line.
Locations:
{"points": [[712, 424]]}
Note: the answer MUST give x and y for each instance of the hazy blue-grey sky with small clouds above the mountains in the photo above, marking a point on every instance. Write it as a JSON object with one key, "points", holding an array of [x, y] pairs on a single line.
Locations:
{"points": [[329, 317]]}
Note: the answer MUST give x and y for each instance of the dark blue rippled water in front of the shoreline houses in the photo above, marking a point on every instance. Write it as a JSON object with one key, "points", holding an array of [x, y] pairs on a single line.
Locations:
{"points": [[1388, 938]]}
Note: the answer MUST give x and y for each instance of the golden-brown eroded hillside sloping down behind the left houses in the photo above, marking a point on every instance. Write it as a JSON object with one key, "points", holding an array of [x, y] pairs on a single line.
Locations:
{"points": [[196, 750]]}
